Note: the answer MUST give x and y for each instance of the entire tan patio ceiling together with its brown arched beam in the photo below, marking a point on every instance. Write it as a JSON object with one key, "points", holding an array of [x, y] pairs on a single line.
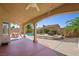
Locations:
{"points": [[16, 12]]}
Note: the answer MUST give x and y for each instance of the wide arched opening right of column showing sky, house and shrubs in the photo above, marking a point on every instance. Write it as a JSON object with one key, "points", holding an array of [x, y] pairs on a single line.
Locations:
{"points": [[56, 26]]}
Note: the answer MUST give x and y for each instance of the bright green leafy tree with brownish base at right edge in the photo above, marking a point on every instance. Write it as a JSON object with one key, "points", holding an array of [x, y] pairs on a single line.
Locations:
{"points": [[73, 26]]}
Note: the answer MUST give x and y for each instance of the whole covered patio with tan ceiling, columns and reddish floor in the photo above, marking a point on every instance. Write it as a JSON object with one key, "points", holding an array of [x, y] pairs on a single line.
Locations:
{"points": [[19, 14]]}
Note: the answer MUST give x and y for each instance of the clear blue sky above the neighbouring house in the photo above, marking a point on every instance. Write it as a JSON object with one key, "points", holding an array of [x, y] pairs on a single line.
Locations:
{"points": [[58, 19]]}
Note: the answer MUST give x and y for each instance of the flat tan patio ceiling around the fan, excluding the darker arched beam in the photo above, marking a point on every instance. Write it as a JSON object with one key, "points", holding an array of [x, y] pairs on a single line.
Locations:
{"points": [[18, 14]]}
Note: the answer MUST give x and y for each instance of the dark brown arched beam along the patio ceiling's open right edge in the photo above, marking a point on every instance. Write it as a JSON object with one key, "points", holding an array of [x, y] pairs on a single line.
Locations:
{"points": [[62, 9]]}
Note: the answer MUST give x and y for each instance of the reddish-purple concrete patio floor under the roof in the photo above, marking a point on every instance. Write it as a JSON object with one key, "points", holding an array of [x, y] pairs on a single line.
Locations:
{"points": [[26, 47]]}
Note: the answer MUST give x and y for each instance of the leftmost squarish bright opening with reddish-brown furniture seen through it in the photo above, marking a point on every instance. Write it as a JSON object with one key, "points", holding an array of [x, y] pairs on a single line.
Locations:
{"points": [[15, 31]]}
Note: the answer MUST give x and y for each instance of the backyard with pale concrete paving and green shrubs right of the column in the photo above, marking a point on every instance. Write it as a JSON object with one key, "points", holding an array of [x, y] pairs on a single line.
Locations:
{"points": [[66, 42]]}
